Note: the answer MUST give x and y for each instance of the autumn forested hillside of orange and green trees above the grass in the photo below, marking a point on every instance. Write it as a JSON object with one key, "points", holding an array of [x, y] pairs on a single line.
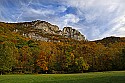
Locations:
{"points": [[21, 52]]}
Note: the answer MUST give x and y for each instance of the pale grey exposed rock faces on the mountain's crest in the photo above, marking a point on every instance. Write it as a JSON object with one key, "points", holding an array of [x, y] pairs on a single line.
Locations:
{"points": [[47, 28]]}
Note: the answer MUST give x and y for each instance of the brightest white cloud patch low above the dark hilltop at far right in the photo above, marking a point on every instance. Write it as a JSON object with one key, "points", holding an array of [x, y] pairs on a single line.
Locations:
{"points": [[116, 27]]}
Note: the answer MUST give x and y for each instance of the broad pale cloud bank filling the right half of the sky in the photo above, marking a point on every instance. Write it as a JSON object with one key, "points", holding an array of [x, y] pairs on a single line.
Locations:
{"points": [[102, 17]]}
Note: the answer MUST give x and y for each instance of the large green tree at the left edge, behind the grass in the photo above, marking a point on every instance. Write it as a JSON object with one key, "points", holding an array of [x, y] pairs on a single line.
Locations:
{"points": [[8, 56]]}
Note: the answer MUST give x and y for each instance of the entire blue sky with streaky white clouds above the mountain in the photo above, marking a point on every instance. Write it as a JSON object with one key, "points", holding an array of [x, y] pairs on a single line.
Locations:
{"points": [[95, 19]]}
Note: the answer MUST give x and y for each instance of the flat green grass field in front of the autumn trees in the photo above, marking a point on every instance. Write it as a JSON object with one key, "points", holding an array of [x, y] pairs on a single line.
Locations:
{"points": [[97, 77]]}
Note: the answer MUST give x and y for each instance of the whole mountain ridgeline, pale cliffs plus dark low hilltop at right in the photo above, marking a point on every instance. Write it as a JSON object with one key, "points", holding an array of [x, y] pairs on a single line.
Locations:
{"points": [[39, 30]]}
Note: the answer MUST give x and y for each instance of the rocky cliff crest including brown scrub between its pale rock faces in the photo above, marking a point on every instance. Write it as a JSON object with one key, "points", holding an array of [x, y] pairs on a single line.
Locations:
{"points": [[44, 31]]}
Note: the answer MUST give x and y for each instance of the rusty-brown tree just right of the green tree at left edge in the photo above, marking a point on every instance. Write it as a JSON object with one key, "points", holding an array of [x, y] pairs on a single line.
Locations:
{"points": [[25, 60]]}
